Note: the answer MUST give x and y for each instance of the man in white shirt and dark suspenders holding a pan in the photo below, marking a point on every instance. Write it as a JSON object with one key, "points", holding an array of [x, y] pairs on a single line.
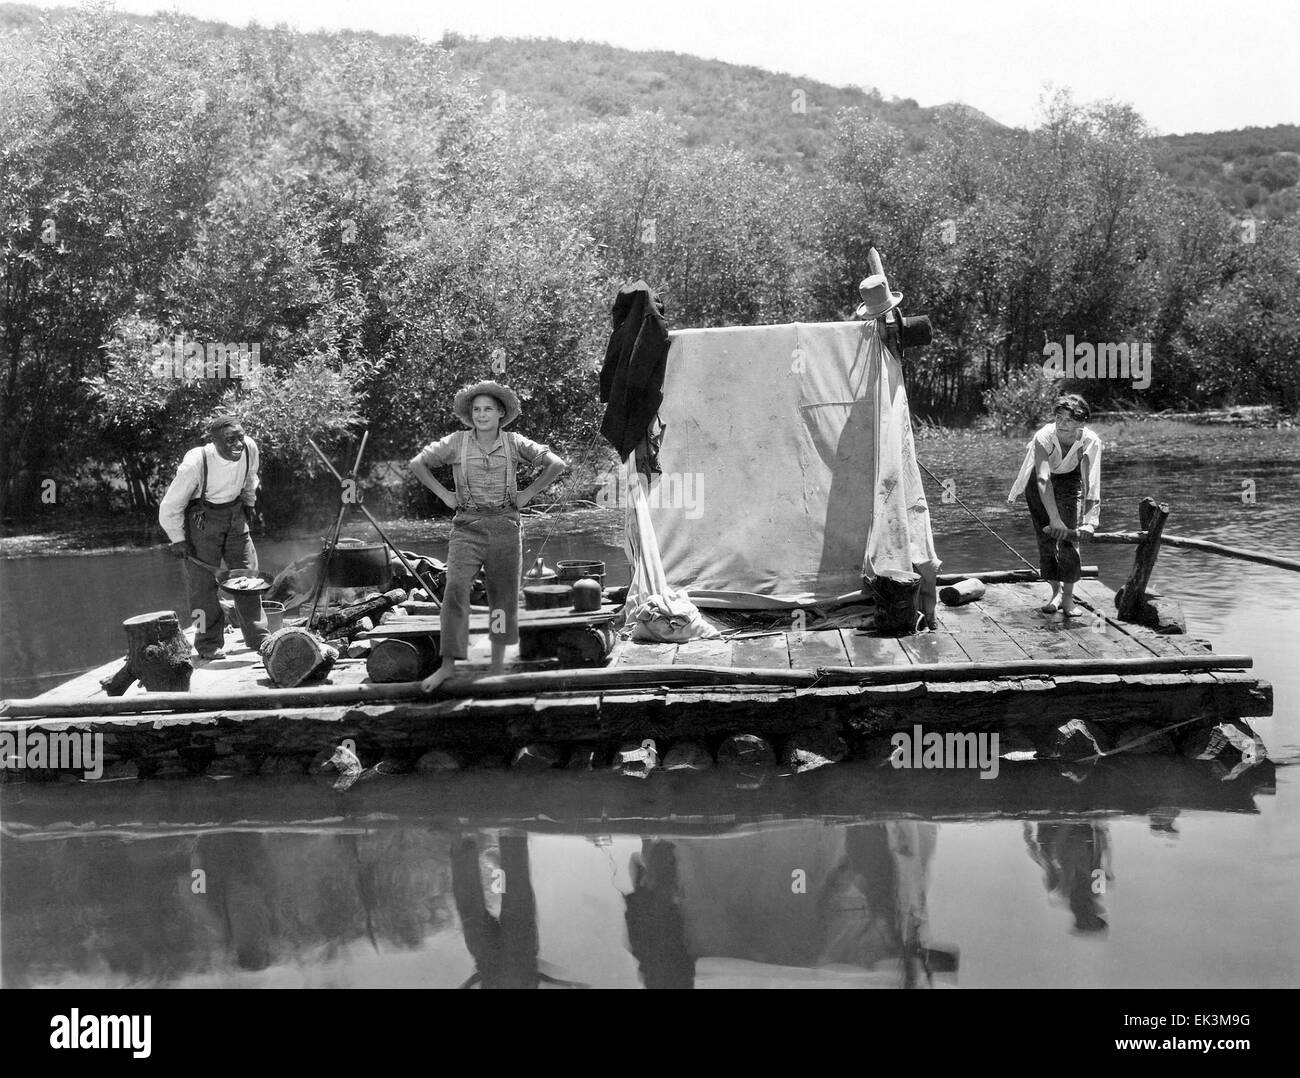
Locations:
{"points": [[205, 514]]}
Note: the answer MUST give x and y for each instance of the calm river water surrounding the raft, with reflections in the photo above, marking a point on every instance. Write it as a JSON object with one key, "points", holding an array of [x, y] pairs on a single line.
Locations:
{"points": [[1152, 872]]}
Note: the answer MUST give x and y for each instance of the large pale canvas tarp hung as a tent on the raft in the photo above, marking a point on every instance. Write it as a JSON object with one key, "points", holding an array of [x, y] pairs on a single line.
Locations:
{"points": [[788, 462]]}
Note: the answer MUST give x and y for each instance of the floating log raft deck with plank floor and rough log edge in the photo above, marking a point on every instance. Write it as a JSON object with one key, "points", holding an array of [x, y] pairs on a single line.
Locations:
{"points": [[996, 664]]}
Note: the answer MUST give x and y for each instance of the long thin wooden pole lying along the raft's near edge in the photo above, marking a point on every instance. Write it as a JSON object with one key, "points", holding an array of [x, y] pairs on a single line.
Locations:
{"points": [[616, 678]]}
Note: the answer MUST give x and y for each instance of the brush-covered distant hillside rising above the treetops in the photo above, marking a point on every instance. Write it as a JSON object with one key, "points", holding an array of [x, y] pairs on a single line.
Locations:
{"points": [[782, 120]]}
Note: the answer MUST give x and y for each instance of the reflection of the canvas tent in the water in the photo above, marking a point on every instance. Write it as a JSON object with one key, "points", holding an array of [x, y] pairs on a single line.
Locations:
{"points": [[817, 906]]}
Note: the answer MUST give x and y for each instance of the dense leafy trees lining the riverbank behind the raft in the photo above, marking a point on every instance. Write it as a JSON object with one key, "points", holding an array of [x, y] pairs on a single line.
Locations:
{"points": [[383, 233]]}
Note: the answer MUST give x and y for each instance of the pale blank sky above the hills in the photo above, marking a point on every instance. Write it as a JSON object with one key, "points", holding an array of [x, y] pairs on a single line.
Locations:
{"points": [[1186, 67]]}
